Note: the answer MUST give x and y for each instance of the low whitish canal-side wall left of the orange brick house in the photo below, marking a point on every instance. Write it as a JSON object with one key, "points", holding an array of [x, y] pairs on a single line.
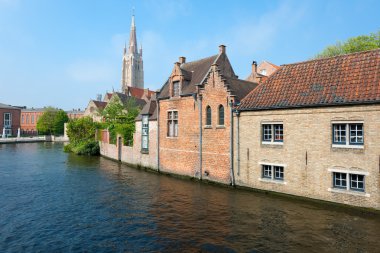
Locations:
{"points": [[133, 155]]}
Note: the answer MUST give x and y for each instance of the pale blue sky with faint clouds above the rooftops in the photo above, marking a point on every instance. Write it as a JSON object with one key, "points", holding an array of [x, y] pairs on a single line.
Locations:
{"points": [[63, 53]]}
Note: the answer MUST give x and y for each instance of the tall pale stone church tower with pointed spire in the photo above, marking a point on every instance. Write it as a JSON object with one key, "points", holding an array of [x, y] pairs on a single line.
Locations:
{"points": [[132, 73]]}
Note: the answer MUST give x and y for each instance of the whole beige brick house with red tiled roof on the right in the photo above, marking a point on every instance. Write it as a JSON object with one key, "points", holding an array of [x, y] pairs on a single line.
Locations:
{"points": [[312, 130]]}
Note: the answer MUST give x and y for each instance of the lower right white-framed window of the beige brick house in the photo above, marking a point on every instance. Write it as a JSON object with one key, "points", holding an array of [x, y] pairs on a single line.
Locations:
{"points": [[356, 181]]}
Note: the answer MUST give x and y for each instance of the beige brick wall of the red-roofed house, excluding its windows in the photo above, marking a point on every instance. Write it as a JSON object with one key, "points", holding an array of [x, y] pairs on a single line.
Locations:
{"points": [[308, 155]]}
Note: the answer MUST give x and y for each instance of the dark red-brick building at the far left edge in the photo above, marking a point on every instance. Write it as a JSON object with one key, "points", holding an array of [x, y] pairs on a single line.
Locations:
{"points": [[9, 120]]}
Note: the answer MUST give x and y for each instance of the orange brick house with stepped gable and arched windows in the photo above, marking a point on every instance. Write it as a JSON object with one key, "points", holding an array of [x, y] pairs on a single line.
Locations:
{"points": [[194, 117]]}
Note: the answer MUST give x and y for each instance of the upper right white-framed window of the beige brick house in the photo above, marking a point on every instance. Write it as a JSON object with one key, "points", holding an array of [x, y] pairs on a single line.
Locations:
{"points": [[348, 134]]}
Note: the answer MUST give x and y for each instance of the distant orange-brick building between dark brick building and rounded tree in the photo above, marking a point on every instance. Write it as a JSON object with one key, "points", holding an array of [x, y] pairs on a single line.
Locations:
{"points": [[29, 118]]}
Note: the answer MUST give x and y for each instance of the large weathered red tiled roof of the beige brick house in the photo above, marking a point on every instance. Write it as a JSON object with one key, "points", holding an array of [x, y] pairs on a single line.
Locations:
{"points": [[346, 79]]}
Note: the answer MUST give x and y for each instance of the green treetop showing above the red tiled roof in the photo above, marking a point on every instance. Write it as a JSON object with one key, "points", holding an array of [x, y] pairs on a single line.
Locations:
{"points": [[352, 45]]}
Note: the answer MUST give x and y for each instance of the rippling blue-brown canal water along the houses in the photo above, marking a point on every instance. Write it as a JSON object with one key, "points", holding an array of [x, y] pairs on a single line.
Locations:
{"points": [[51, 201]]}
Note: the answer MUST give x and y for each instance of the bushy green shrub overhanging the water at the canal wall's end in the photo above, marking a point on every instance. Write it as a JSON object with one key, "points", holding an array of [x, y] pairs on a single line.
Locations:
{"points": [[81, 133]]}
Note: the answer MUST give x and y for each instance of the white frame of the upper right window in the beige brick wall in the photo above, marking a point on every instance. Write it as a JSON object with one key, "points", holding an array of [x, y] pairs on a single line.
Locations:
{"points": [[347, 130]]}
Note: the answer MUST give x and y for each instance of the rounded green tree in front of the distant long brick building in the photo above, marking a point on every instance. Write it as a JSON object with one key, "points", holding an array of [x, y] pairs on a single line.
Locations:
{"points": [[52, 121]]}
